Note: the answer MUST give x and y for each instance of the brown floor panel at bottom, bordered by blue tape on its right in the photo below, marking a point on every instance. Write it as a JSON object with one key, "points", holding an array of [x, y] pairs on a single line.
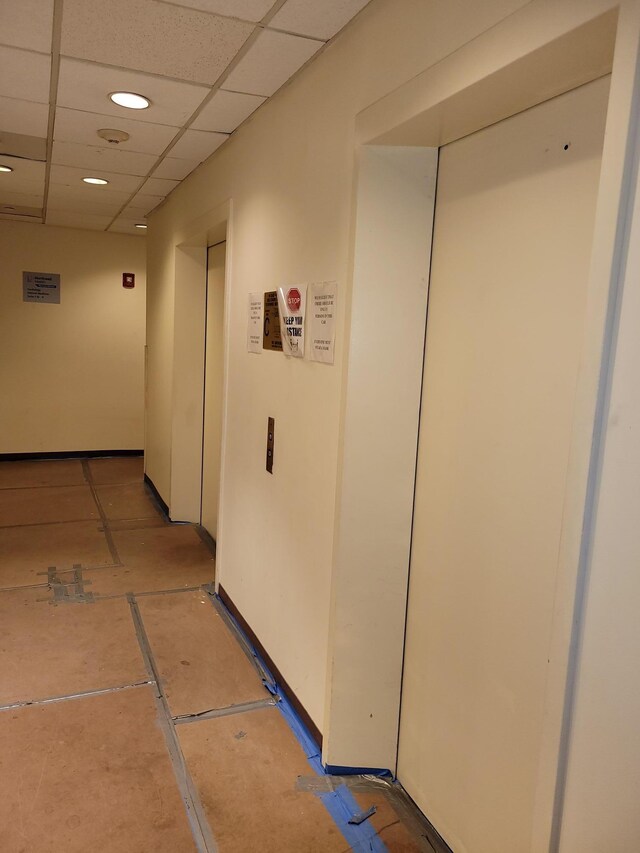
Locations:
{"points": [[246, 768]]}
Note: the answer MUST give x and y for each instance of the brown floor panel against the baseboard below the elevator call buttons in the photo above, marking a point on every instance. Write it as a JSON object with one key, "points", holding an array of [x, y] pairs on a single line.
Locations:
{"points": [[199, 660]]}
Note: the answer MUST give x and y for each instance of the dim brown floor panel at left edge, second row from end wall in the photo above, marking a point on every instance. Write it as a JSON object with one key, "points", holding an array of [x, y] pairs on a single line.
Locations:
{"points": [[46, 505]]}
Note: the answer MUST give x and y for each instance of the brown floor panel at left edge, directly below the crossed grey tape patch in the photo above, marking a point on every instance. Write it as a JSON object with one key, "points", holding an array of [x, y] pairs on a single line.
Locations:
{"points": [[58, 649]]}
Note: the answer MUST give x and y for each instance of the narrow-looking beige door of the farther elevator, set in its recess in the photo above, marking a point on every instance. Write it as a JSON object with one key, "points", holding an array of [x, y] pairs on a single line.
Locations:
{"points": [[213, 388]]}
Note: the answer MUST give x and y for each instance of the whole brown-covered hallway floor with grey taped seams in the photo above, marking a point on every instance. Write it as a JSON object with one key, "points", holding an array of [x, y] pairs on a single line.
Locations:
{"points": [[133, 714]]}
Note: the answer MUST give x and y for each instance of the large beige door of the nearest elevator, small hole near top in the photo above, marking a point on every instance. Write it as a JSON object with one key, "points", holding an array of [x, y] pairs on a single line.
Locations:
{"points": [[513, 230]]}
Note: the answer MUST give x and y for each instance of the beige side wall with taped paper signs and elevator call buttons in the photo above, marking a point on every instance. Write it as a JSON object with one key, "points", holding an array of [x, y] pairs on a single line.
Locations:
{"points": [[289, 173]]}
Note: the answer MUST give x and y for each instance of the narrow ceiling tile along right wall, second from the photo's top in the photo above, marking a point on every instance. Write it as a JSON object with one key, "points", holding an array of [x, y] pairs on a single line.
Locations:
{"points": [[270, 61]]}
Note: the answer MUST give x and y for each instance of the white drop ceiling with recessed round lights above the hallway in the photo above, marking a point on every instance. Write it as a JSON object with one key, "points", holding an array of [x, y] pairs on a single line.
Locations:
{"points": [[204, 65]]}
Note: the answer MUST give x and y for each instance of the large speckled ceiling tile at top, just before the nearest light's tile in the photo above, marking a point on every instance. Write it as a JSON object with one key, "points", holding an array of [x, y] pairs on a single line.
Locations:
{"points": [[150, 36]]}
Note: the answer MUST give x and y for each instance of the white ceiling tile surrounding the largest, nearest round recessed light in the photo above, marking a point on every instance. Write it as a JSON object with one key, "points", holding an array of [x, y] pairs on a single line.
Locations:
{"points": [[86, 86]]}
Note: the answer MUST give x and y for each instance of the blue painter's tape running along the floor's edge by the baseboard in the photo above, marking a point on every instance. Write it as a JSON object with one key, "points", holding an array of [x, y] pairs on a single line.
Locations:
{"points": [[340, 803]]}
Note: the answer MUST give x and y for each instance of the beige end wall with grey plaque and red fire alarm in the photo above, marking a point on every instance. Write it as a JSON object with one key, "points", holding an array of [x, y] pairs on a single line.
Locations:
{"points": [[71, 375]]}
